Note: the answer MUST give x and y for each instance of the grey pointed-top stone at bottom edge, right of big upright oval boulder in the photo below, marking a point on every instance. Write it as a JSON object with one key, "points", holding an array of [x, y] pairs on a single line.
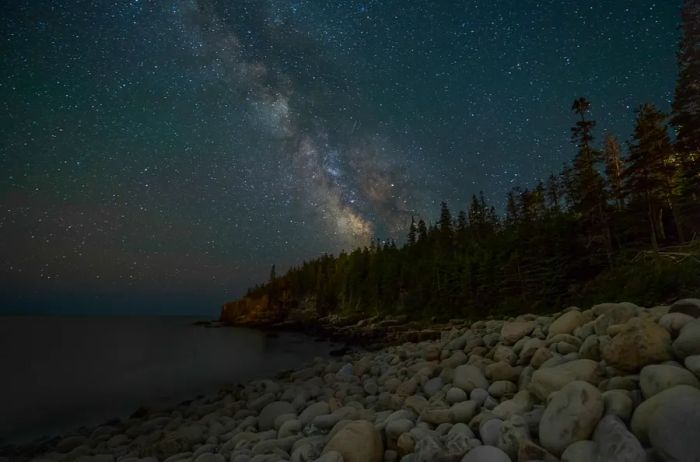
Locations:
{"points": [[615, 443]]}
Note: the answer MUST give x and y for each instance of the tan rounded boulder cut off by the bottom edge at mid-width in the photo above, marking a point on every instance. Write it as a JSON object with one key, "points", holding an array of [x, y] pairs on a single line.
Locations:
{"points": [[357, 441]]}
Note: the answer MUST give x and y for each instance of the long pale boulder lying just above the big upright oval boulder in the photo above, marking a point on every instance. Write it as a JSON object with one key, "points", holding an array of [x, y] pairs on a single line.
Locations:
{"points": [[550, 379]]}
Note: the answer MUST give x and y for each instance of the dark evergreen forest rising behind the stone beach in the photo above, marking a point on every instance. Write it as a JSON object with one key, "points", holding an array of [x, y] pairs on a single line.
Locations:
{"points": [[558, 242]]}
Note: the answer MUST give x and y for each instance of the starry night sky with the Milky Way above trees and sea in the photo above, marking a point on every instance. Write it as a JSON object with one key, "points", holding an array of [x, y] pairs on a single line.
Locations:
{"points": [[161, 155]]}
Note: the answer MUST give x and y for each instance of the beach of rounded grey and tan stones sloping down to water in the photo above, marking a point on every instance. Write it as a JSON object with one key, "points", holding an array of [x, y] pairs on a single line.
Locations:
{"points": [[614, 382]]}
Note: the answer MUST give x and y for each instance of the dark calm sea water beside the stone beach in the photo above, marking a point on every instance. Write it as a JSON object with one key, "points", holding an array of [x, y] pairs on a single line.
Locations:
{"points": [[62, 372]]}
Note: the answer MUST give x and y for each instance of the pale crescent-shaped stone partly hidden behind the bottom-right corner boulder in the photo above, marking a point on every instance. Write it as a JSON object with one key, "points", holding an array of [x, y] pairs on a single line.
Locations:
{"points": [[645, 412]]}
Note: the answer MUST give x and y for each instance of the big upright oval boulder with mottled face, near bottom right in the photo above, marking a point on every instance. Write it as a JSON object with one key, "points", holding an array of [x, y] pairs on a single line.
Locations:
{"points": [[571, 415]]}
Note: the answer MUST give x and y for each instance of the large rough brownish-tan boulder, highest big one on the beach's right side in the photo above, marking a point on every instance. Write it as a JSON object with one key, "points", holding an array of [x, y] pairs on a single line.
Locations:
{"points": [[640, 342]]}
